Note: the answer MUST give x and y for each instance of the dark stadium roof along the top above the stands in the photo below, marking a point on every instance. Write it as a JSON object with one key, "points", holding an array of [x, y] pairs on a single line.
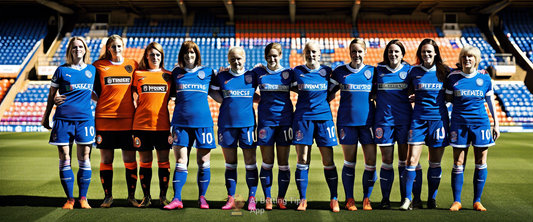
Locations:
{"points": [[275, 7]]}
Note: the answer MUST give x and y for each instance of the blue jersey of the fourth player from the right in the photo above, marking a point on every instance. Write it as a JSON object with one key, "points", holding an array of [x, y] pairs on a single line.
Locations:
{"points": [[356, 107]]}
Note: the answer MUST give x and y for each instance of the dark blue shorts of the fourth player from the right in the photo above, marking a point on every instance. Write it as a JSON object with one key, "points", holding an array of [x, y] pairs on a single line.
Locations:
{"points": [[351, 135]]}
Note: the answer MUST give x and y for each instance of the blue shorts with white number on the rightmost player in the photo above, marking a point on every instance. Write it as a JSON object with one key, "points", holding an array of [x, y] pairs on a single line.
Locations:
{"points": [[461, 136]]}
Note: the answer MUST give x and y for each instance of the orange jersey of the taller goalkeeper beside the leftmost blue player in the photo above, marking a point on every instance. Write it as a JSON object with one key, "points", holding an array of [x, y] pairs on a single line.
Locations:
{"points": [[113, 86]]}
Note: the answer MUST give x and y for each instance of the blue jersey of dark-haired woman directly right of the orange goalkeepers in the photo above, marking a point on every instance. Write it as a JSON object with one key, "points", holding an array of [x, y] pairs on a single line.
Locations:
{"points": [[192, 87]]}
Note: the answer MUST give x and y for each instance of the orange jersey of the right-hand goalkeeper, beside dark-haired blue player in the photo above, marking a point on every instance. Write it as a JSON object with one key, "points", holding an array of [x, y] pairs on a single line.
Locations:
{"points": [[153, 88]]}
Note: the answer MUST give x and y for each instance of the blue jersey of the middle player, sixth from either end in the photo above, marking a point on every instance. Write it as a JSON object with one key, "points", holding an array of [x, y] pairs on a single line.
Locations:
{"points": [[275, 107]]}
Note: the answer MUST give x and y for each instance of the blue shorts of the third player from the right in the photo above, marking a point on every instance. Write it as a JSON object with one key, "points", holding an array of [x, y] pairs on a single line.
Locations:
{"points": [[388, 135]]}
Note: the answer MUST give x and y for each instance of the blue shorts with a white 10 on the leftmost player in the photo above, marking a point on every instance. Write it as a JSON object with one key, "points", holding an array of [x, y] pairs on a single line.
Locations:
{"points": [[65, 132]]}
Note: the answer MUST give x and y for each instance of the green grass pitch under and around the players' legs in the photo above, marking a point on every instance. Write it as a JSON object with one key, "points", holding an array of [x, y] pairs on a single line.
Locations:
{"points": [[30, 189]]}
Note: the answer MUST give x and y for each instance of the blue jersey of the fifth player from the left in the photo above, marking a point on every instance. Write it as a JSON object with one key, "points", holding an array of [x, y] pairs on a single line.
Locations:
{"points": [[237, 90]]}
